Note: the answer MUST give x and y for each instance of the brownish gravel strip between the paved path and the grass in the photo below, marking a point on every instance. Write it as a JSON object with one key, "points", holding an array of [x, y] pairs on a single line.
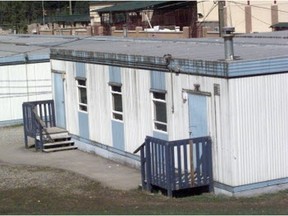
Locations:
{"points": [[20, 176]]}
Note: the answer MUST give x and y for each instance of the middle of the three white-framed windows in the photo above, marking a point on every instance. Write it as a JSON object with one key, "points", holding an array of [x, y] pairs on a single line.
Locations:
{"points": [[114, 112]]}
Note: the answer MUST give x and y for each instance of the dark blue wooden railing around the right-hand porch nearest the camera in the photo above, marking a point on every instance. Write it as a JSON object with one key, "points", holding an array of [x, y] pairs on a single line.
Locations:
{"points": [[176, 165]]}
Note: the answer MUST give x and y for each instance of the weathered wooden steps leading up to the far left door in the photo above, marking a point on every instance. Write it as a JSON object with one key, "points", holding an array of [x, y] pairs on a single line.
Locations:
{"points": [[57, 139]]}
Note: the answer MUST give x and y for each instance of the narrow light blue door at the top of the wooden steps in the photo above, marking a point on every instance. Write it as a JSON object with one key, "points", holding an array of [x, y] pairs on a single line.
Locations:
{"points": [[59, 100]]}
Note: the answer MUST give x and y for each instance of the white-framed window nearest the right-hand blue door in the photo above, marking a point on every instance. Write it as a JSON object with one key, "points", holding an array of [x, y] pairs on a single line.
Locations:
{"points": [[156, 101]]}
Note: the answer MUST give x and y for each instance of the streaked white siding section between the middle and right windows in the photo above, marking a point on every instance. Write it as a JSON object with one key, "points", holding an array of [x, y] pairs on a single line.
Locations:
{"points": [[137, 107]]}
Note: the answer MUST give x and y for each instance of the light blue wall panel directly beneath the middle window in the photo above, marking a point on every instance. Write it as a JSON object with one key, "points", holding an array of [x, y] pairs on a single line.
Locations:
{"points": [[118, 135]]}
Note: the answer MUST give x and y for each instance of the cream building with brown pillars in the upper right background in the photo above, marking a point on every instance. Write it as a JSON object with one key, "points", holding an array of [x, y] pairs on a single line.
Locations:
{"points": [[245, 16]]}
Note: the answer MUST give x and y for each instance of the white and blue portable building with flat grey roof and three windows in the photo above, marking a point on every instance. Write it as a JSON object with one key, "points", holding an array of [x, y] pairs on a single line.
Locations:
{"points": [[118, 91]]}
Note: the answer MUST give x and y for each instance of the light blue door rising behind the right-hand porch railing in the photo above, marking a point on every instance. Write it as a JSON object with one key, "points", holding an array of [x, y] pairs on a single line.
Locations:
{"points": [[198, 124]]}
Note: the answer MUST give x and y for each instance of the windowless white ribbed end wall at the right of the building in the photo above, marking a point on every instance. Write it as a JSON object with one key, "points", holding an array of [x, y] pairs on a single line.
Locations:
{"points": [[260, 123]]}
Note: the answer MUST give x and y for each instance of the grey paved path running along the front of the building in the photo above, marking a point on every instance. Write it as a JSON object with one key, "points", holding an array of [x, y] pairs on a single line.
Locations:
{"points": [[109, 173]]}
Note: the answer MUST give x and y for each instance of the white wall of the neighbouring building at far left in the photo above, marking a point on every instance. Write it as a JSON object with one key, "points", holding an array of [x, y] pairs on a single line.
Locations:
{"points": [[21, 83]]}
